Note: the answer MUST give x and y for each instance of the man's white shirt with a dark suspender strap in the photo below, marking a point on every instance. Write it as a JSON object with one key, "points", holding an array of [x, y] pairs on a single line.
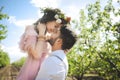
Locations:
{"points": [[55, 67]]}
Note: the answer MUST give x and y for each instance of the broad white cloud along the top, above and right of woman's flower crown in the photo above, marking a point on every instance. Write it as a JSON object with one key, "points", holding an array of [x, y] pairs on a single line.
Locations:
{"points": [[70, 9]]}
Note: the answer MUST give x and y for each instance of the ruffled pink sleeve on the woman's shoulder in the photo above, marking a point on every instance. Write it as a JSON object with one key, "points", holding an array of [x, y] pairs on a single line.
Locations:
{"points": [[28, 39]]}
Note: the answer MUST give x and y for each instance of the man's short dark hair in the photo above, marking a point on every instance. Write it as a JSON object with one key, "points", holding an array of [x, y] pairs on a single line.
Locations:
{"points": [[68, 37]]}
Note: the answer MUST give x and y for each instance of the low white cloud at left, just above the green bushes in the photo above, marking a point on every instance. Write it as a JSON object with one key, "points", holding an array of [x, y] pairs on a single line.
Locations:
{"points": [[14, 53]]}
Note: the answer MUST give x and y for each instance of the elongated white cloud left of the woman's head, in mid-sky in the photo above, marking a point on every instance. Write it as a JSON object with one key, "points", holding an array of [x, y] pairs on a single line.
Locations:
{"points": [[21, 23]]}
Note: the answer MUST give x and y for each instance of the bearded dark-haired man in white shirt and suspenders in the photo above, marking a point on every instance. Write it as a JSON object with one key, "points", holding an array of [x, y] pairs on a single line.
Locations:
{"points": [[55, 67]]}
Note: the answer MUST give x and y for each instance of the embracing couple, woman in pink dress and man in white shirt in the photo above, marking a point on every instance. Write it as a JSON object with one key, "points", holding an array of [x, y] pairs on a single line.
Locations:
{"points": [[47, 42]]}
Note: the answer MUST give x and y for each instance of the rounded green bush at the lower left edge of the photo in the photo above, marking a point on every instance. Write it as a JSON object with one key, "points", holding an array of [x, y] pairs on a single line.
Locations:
{"points": [[4, 59]]}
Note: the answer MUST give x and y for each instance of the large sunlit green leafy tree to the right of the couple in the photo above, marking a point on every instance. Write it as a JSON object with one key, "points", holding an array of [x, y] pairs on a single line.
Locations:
{"points": [[98, 47]]}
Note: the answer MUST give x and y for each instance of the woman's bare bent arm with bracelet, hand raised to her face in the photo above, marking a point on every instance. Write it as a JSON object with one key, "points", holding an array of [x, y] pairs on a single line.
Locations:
{"points": [[38, 48]]}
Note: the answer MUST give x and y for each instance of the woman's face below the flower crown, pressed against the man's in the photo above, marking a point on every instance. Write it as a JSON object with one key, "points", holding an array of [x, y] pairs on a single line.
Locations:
{"points": [[52, 26]]}
